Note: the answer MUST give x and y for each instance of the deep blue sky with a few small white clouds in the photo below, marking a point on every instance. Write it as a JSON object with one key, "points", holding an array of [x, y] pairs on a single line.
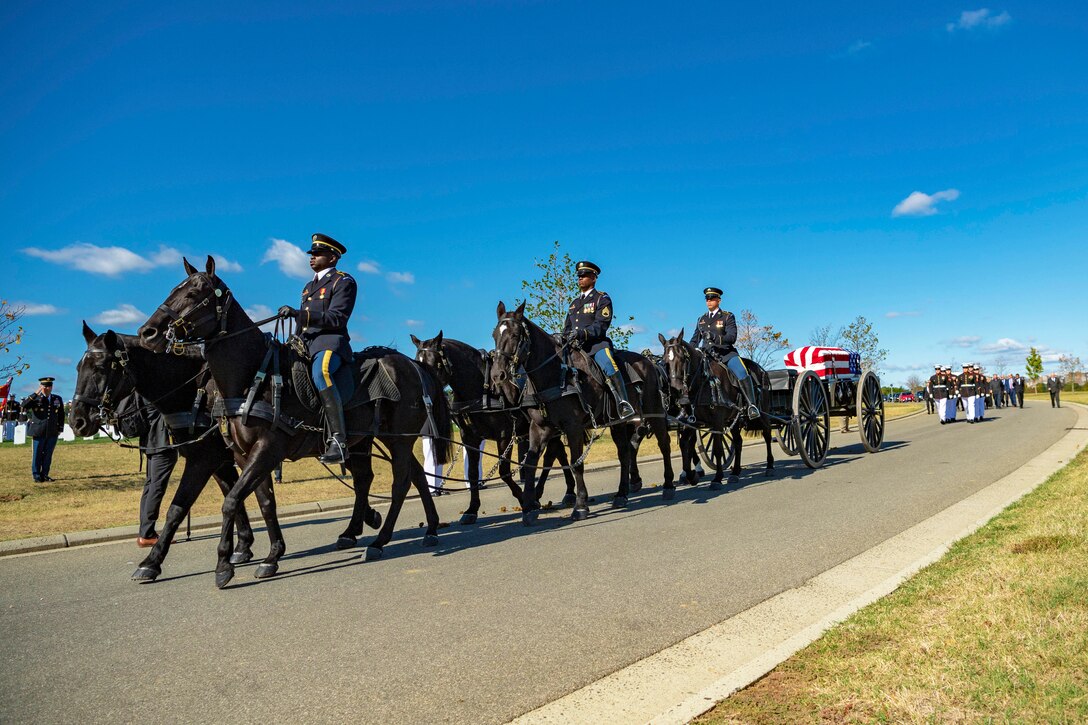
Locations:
{"points": [[925, 166]]}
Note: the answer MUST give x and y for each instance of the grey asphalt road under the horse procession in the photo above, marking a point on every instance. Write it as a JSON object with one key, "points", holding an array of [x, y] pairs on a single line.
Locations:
{"points": [[494, 622]]}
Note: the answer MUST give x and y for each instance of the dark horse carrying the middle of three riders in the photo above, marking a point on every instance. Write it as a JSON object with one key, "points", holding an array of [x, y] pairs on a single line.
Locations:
{"points": [[520, 342]]}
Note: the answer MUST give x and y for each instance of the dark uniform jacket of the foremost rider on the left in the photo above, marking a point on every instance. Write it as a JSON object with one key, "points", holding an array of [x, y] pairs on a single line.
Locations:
{"points": [[323, 317]]}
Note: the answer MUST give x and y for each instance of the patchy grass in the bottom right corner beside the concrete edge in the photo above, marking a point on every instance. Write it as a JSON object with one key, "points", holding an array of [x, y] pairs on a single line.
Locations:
{"points": [[995, 632]]}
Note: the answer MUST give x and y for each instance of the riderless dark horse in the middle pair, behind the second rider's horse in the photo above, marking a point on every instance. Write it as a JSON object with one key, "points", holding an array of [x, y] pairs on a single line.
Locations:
{"points": [[464, 370]]}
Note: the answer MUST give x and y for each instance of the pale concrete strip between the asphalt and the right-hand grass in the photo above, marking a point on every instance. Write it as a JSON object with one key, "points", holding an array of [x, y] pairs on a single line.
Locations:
{"points": [[683, 682]]}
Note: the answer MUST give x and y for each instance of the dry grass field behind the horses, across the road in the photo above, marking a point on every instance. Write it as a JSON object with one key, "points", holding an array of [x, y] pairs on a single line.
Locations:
{"points": [[98, 485]]}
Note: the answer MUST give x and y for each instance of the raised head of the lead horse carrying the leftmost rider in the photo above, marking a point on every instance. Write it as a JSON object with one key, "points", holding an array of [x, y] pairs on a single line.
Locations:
{"points": [[196, 310]]}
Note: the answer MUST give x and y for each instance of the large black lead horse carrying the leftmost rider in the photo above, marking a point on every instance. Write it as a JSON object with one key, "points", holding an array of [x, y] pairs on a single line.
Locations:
{"points": [[202, 310]]}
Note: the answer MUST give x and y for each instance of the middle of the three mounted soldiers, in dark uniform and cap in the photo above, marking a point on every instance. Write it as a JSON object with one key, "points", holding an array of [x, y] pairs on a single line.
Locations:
{"points": [[587, 327]]}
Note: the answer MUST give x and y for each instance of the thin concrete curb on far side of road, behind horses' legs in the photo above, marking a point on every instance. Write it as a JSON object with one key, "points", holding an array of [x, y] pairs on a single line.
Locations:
{"points": [[213, 523]]}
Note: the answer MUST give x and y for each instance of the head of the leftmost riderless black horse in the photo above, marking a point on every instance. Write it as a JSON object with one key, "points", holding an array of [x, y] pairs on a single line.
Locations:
{"points": [[102, 382]]}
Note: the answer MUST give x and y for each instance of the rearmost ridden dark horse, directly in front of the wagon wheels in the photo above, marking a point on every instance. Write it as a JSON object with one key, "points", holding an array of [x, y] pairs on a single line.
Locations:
{"points": [[715, 400]]}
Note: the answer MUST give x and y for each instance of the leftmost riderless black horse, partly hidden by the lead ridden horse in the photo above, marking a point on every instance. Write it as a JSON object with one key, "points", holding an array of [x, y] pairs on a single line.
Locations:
{"points": [[114, 368]]}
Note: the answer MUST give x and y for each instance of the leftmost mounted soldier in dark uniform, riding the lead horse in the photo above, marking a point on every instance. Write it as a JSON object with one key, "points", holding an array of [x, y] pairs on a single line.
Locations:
{"points": [[322, 321]]}
